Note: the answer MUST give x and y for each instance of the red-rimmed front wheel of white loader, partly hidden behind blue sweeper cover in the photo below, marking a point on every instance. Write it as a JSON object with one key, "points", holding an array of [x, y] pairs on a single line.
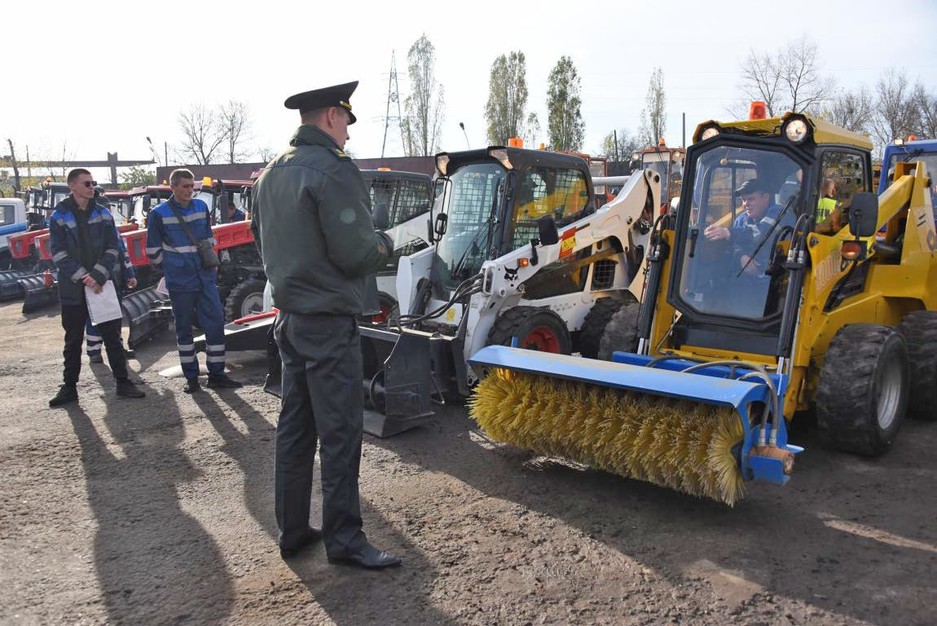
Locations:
{"points": [[536, 328]]}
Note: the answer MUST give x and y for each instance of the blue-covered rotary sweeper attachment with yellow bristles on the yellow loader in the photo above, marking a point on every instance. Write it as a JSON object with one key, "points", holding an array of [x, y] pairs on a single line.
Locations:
{"points": [[689, 426]]}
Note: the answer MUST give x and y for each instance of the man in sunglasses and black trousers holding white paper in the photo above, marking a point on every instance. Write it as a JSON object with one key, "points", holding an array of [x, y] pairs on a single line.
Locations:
{"points": [[83, 242]]}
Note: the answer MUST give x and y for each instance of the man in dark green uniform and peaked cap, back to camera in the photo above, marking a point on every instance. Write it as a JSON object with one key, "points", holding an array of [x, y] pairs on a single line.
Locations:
{"points": [[312, 222]]}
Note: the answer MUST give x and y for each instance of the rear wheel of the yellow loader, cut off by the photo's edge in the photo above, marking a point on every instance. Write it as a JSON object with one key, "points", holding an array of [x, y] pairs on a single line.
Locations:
{"points": [[919, 330]]}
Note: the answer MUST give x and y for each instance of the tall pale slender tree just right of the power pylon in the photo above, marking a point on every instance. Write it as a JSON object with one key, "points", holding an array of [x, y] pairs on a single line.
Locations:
{"points": [[425, 103]]}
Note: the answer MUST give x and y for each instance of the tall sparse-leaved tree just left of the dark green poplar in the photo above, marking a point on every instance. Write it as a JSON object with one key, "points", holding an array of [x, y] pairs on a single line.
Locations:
{"points": [[507, 98]]}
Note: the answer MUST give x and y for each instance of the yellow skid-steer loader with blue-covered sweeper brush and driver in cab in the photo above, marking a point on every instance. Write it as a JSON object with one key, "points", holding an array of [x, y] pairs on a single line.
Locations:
{"points": [[763, 298]]}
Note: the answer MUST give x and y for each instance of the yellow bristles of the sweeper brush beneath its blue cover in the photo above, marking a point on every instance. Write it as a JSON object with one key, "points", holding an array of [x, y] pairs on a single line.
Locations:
{"points": [[683, 445]]}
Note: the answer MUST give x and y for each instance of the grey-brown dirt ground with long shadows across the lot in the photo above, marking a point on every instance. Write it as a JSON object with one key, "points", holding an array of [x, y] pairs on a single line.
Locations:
{"points": [[161, 511]]}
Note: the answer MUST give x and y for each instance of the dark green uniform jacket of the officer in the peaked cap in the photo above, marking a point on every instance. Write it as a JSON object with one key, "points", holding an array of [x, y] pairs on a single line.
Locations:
{"points": [[312, 223]]}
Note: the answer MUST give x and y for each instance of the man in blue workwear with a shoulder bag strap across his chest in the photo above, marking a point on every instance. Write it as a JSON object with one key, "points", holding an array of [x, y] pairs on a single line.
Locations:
{"points": [[192, 287]]}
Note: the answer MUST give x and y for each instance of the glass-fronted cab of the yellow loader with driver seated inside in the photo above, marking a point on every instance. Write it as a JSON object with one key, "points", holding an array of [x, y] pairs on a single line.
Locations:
{"points": [[729, 280]]}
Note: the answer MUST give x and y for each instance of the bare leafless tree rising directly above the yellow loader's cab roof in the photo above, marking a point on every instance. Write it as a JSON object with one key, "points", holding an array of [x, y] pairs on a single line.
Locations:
{"points": [[789, 80]]}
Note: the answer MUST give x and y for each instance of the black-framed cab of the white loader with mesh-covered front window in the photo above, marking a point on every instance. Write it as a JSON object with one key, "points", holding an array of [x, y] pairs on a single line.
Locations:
{"points": [[493, 200]]}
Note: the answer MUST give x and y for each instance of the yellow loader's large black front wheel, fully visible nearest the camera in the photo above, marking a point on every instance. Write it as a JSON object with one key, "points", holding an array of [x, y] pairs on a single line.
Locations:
{"points": [[863, 390]]}
